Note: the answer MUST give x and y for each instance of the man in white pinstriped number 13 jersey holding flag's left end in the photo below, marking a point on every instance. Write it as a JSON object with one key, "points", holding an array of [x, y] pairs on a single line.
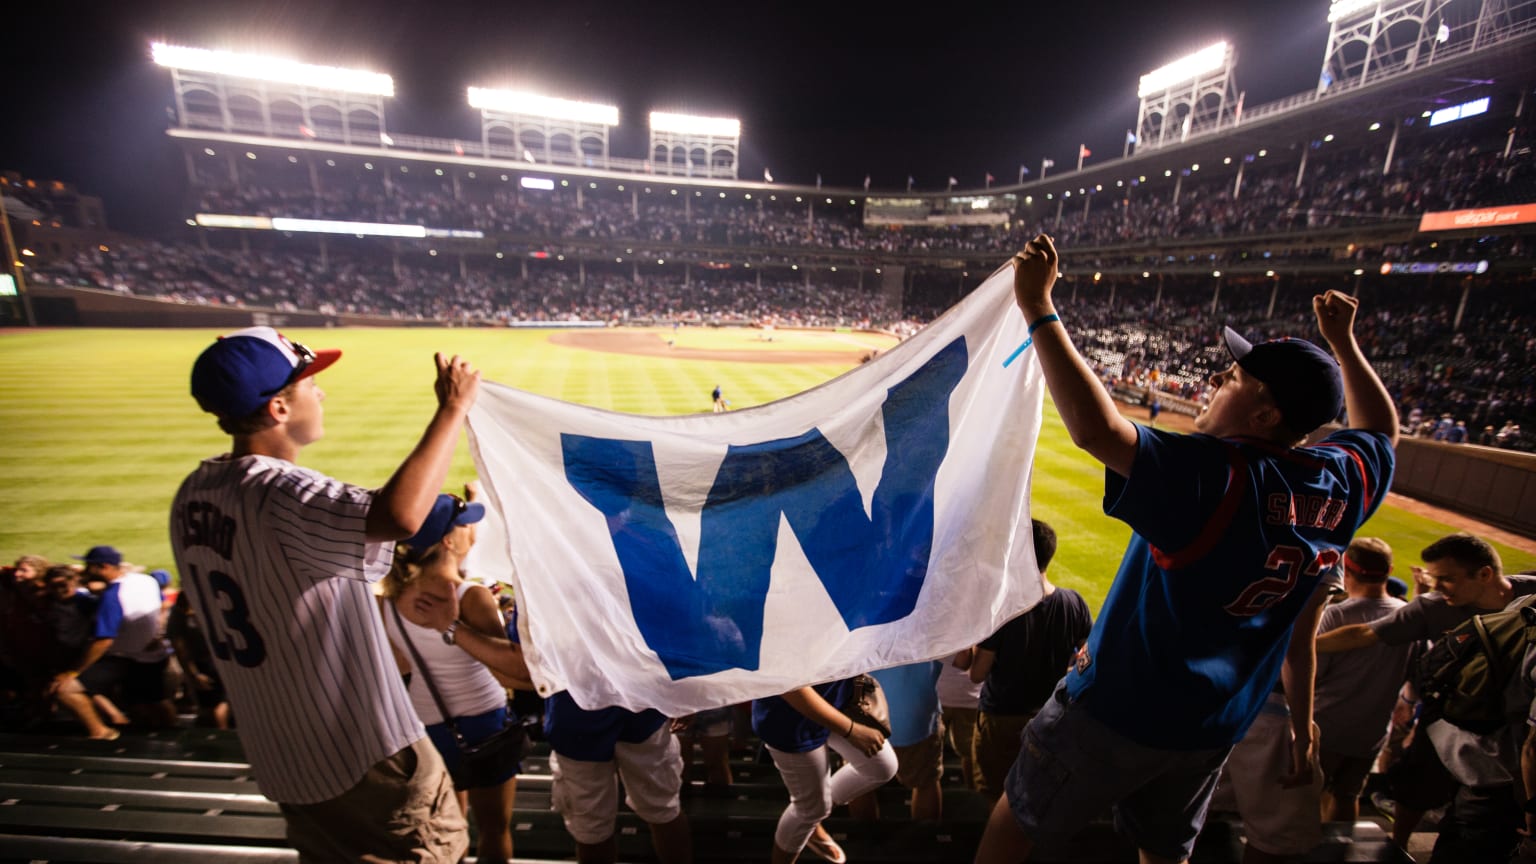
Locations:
{"points": [[280, 562]]}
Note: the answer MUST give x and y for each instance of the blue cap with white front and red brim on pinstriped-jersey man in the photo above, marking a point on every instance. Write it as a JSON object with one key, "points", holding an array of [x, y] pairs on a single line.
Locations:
{"points": [[245, 370]]}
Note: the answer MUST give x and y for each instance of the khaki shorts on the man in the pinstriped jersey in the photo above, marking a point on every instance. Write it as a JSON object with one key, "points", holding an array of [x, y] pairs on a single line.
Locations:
{"points": [[403, 809]]}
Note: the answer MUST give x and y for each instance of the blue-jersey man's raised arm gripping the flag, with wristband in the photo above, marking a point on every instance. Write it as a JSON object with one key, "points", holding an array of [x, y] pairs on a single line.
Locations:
{"points": [[1082, 400]]}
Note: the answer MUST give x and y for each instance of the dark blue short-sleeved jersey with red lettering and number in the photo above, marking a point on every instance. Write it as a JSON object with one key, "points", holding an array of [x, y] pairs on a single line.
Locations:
{"points": [[1231, 537]]}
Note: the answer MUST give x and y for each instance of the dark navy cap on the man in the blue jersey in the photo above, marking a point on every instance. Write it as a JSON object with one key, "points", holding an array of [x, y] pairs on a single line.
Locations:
{"points": [[1305, 380]]}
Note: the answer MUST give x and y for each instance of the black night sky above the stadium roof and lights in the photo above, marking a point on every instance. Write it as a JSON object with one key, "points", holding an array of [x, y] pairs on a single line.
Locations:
{"points": [[833, 88]]}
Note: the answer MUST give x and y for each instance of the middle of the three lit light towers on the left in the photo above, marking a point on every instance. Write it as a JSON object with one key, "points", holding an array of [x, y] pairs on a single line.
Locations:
{"points": [[557, 130]]}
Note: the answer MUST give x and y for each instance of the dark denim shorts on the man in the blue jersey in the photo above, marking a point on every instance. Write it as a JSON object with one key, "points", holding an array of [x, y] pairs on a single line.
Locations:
{"points": [[1074, 769]]}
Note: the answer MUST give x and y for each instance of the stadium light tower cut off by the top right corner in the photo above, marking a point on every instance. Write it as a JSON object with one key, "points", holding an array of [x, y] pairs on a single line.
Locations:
{"points": [[1371, 39]]}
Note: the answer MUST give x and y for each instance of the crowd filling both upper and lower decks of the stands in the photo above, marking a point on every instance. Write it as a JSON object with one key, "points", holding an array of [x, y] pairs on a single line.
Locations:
{"points": [[1471, 365]]}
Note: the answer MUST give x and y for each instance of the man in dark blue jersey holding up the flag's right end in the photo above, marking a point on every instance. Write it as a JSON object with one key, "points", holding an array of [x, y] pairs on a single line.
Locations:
{"points": [[1234, 528]]}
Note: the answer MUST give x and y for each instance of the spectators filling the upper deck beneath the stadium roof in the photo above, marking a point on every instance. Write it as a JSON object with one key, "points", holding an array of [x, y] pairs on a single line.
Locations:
{"points": [[1337, 188]]}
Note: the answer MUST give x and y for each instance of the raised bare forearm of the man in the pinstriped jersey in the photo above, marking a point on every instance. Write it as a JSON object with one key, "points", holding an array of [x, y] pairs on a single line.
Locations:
{"points": [[405, 502]]}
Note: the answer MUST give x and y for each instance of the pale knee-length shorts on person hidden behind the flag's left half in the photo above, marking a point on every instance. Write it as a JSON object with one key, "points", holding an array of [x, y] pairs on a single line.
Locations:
{"points": [[588, 796]]}
